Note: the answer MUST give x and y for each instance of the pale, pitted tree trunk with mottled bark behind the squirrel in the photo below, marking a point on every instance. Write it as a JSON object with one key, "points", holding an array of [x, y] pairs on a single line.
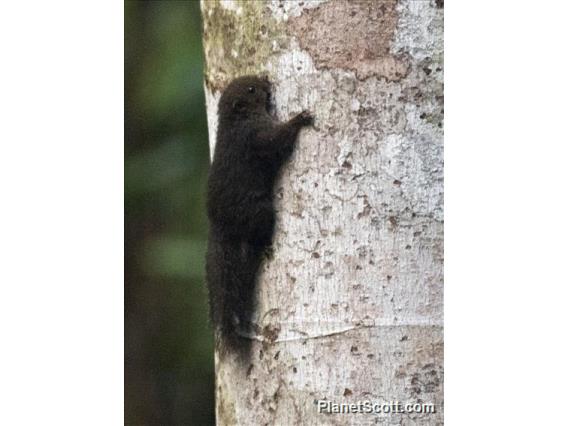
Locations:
{"points": [[350, 306]]}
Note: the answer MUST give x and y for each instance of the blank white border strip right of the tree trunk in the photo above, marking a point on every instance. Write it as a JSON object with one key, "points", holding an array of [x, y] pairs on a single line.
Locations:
{"points": [[506, 155]]}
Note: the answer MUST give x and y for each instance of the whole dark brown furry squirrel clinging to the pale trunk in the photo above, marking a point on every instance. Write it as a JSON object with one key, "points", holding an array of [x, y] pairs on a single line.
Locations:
{"points": [[251, 149]]}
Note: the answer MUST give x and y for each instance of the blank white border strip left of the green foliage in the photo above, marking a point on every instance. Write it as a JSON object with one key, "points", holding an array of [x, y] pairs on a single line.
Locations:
{"points": [[61, 214]]}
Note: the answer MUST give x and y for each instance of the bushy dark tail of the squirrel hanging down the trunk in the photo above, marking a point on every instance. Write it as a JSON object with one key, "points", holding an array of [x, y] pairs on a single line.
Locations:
{"points": [[231, 271]]}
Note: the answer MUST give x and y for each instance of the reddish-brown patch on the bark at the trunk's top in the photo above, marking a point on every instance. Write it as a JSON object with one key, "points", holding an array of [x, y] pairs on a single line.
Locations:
{"points": [[355, 35]]}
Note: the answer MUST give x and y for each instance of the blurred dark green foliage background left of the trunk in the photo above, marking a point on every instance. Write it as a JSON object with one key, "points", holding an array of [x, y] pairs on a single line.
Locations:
{"points": [[168, 344]]}
